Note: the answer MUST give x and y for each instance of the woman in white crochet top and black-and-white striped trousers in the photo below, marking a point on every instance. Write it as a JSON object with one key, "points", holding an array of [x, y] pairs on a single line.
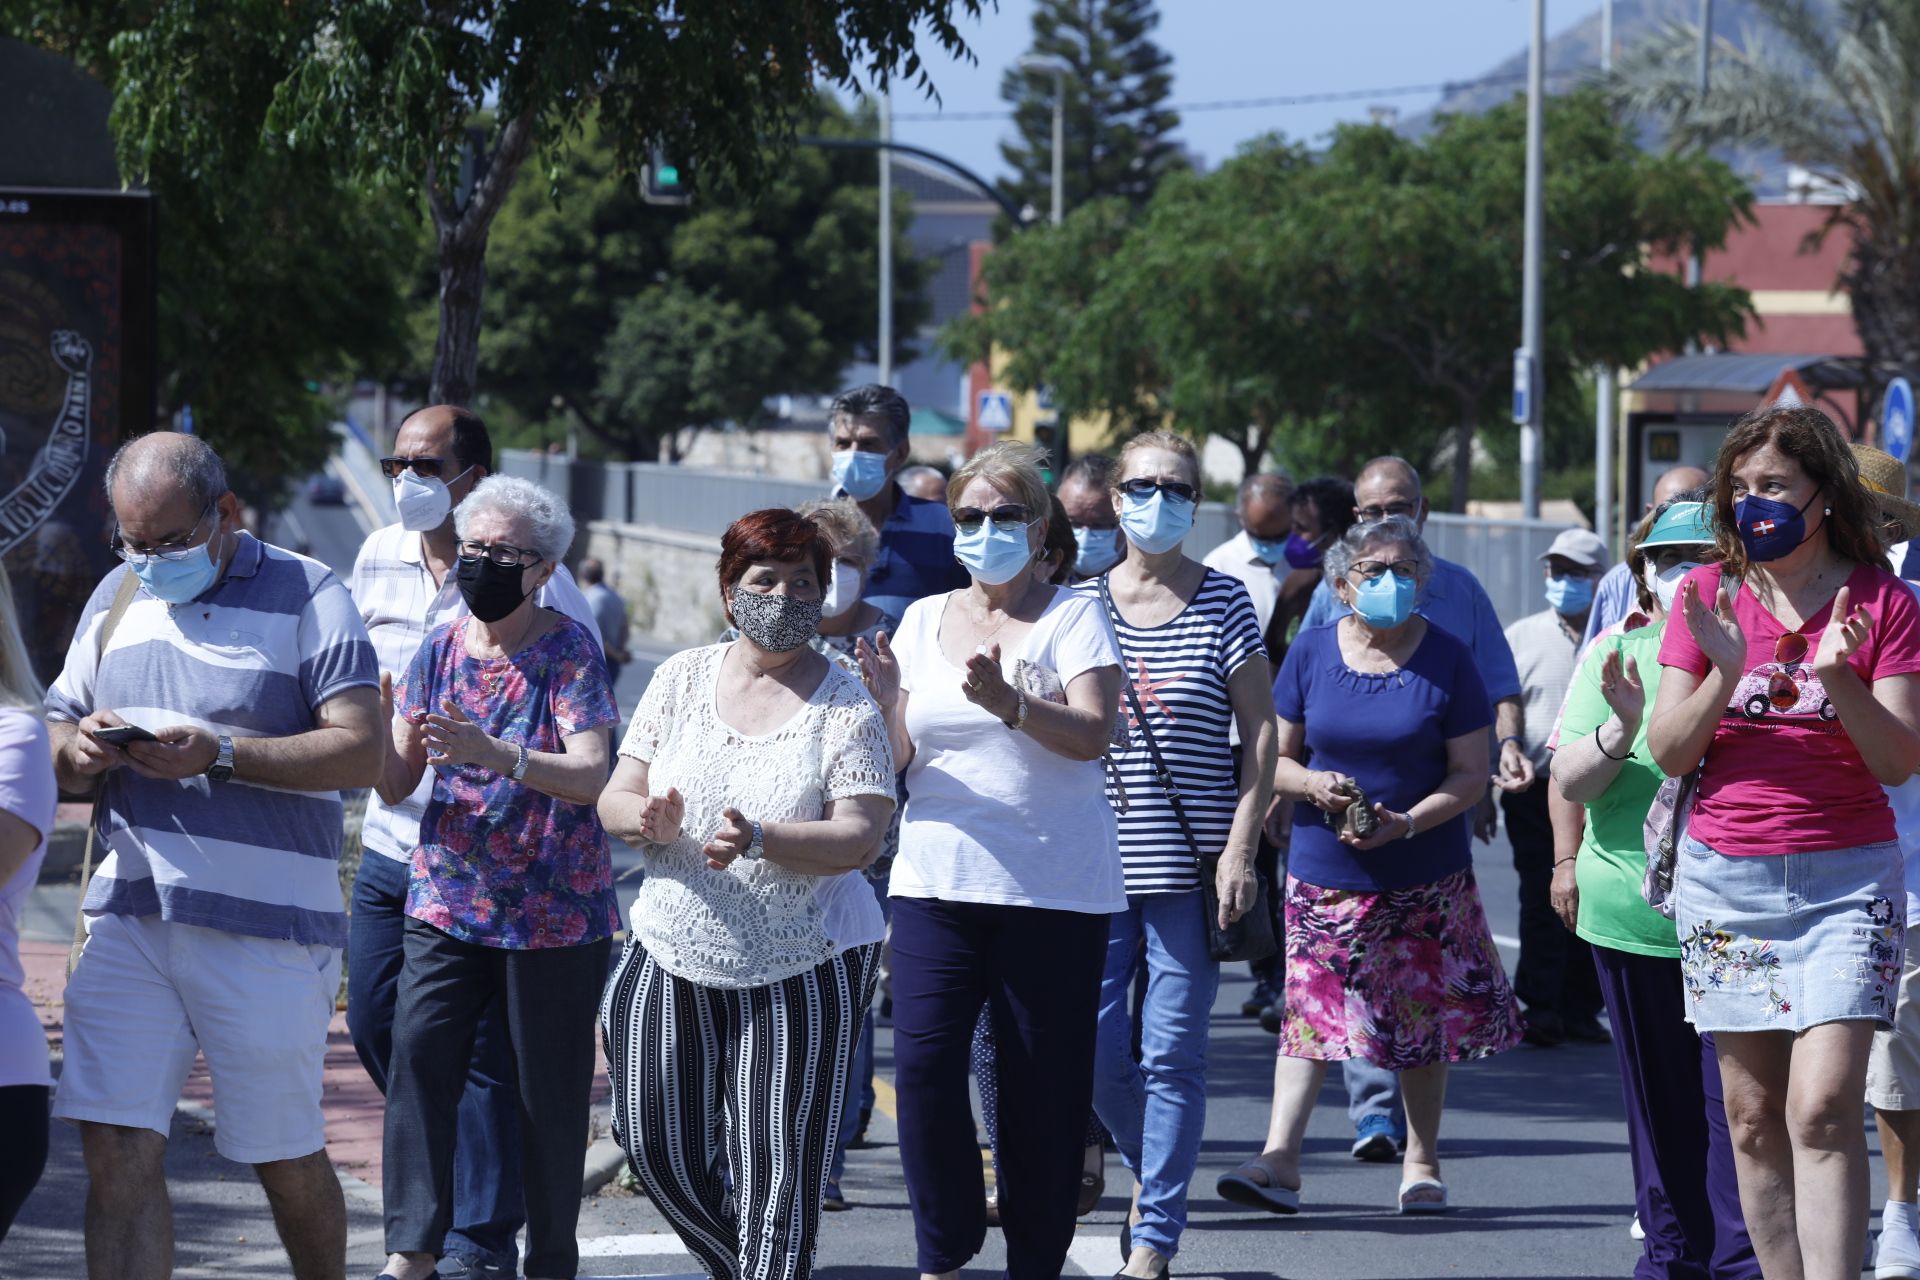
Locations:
{"points": [[759, 784]]}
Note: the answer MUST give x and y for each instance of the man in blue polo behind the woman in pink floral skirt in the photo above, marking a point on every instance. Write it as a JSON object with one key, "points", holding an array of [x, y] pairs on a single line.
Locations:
{"points": [[1454, 602]]}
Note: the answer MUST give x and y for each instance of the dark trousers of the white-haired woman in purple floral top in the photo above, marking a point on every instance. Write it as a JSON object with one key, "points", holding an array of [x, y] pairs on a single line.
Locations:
{"points": [[552, 999]]}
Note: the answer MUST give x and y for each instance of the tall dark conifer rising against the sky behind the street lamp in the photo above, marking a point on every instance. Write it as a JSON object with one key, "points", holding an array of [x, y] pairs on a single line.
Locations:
{"points": [[1118, 128]]}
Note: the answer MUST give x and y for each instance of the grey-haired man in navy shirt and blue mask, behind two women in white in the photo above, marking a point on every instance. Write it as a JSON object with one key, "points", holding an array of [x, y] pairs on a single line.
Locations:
{"points": [[917, 536]]}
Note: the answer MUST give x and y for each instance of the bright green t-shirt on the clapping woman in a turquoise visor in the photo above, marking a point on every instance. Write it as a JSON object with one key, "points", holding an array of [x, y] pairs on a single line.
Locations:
{"points": [[1614, 857]]}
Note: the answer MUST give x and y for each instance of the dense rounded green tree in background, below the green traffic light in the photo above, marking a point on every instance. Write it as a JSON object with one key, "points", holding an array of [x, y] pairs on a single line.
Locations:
{"points": [[646, 321]]}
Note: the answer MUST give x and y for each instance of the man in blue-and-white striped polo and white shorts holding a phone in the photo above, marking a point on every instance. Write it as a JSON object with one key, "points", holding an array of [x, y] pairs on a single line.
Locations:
{"points": [[233, 701]]}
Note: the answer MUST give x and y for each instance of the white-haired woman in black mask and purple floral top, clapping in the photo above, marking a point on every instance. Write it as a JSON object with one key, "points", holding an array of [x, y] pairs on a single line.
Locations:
{"points": [[512, 888]]}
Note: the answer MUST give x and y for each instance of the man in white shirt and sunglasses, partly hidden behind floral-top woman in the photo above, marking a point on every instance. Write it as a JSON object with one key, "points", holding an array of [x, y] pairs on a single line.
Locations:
{"points": [[404, 588]]}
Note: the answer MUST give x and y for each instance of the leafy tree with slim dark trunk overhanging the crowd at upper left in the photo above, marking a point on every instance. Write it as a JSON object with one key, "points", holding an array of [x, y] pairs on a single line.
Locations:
{"points": [[450, 99]]}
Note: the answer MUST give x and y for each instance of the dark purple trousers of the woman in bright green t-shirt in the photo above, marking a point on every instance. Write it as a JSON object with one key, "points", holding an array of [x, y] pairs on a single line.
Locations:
{"points": [[1685, 1183]]}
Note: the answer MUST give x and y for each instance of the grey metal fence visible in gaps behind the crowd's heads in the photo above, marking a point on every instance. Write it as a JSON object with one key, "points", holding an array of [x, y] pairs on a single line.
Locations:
{"points": [[1502, 554]]}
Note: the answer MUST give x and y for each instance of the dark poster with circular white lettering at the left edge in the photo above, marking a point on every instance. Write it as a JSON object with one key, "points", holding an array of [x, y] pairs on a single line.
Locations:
{"points": [[76, 379]]}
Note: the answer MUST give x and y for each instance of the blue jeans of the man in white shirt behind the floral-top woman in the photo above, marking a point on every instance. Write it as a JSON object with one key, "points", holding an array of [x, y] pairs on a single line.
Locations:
{"points": [[489, 1206]]}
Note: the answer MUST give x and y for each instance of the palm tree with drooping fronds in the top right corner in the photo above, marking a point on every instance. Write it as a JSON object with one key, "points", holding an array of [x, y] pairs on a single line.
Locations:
{"points": [[1835, 85]]}
